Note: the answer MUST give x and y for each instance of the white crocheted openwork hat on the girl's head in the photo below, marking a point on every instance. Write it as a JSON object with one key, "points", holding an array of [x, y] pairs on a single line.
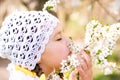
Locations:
{"points": [[24, 35]]}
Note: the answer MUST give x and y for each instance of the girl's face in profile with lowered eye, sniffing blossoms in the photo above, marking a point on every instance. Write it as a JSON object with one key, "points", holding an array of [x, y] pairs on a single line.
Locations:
{"points": [[56, 50]]}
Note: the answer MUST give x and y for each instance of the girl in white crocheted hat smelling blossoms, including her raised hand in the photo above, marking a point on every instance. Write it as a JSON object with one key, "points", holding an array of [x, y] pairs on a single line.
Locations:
{"points": [[34, 43]]}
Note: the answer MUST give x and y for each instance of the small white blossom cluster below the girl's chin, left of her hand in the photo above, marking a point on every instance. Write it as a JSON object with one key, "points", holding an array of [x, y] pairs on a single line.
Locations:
{"points": [[67, 67]]}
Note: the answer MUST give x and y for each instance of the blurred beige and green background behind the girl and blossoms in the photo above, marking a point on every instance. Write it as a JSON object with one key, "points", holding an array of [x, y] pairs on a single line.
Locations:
{"points": [[74, 15]]}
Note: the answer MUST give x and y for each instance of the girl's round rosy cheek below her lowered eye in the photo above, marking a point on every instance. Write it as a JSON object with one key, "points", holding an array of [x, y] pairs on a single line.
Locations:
{"points": [[55, 54]]}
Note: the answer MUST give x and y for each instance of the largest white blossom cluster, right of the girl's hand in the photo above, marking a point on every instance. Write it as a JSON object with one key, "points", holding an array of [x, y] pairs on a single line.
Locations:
{"points": [[100, 40]]}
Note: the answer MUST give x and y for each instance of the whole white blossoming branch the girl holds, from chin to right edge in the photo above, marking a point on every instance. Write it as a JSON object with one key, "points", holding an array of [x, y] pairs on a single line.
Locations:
{"points": [[99, 42]]}
